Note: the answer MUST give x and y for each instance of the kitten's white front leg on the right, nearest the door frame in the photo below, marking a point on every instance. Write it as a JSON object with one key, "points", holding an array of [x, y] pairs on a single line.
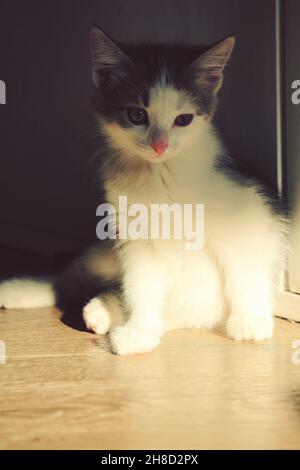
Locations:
{"points": [[250, 291]]}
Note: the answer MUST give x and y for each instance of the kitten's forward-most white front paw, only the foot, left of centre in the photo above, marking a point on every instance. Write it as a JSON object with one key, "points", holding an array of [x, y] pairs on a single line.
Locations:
{"points": [[126, 340]]}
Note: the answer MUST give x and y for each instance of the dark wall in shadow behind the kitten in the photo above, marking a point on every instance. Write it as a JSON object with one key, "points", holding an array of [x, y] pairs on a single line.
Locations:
{"points": [[47, 192]]}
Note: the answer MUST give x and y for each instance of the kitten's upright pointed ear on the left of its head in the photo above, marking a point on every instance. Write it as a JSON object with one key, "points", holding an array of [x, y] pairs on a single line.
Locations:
{"points": [[106, 55]]}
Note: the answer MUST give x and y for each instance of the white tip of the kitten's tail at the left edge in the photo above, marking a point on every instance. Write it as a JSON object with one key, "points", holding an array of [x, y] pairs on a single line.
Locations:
{"points": [[27, 293]]}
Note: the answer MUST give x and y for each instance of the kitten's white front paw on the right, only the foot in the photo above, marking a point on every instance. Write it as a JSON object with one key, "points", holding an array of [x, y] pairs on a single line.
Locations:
{"points": [[254, 328]]}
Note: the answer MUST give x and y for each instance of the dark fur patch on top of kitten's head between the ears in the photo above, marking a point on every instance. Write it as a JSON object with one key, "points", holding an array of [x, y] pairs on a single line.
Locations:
{"points": [[128, 85]]}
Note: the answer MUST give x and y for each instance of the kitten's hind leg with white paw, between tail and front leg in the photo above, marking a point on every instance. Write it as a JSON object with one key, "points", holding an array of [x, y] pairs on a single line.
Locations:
{"points": [[103, 312]]}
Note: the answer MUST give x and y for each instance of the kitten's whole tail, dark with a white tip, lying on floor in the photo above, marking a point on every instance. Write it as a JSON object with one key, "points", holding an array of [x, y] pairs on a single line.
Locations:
{"points": [[94, 273]]}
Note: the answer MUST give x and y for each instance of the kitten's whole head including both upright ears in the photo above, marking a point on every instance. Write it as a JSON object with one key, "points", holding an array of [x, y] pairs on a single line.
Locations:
{"points": [[153, 100]]}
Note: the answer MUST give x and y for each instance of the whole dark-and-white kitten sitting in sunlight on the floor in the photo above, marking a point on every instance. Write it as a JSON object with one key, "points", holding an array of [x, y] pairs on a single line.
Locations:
{"points": [[155, 106]]}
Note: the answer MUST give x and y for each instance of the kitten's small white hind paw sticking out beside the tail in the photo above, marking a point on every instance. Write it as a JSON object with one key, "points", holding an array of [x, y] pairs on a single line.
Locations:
{"points": [[97, 317]]}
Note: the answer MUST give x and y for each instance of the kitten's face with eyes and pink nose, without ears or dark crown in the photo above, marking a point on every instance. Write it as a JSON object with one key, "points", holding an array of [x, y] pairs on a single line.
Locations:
{"points": [[157, 130]]}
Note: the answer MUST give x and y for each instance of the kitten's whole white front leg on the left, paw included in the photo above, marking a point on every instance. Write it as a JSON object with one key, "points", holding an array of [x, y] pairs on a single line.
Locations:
{"points": [[144, 289]]}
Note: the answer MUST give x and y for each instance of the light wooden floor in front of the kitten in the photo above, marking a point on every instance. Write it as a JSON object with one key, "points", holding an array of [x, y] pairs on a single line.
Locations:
{"points": [[63, 389]]}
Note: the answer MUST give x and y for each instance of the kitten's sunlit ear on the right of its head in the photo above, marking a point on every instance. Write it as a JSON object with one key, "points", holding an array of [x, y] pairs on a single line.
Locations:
{"points": [[208, 68]]}
